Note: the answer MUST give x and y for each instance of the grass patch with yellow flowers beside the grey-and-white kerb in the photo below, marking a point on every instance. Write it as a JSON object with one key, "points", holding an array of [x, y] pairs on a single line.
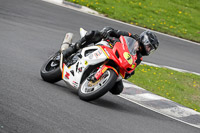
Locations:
{"points": [[183, 88]]}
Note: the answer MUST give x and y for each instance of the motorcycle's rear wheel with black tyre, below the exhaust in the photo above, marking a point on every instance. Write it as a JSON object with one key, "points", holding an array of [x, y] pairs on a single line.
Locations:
{"points": [[50, 70]]}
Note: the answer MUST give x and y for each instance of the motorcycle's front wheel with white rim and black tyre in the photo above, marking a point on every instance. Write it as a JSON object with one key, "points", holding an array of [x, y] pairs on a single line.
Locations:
{"points": [[89, 90]]}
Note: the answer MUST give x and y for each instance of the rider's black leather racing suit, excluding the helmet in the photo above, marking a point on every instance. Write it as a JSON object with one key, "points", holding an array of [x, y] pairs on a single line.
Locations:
{"points": [[95, 36]]}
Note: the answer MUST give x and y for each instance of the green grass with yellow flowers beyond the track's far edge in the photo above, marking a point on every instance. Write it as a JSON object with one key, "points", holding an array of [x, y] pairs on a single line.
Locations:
{"points": [[176, 17]]}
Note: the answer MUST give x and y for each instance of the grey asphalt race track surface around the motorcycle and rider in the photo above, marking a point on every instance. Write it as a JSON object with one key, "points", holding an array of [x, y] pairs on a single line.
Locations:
{"points": [[31, 30]]}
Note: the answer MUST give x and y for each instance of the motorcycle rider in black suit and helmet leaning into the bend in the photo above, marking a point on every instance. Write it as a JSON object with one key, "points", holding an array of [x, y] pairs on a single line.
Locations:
{"points": [[147, 43]]}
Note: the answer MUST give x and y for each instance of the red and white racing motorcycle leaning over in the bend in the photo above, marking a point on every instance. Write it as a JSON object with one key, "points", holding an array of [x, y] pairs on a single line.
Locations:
{"points": [[93, 70]]}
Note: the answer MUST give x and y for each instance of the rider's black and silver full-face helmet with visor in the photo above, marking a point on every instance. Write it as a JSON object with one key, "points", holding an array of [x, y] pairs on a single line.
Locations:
{"points": [[148, 42]]}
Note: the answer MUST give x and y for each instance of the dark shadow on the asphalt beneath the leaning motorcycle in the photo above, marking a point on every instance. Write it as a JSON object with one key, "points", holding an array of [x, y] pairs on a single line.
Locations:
{"points": [[110, 103]]}
